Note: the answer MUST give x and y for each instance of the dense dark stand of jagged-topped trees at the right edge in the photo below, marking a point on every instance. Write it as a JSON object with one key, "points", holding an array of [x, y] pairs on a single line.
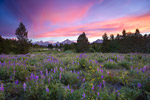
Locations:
{"points": [[126, 42]]}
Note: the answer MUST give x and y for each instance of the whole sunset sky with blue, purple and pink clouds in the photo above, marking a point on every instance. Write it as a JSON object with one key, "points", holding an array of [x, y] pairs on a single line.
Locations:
{"points": [[57, 20]]}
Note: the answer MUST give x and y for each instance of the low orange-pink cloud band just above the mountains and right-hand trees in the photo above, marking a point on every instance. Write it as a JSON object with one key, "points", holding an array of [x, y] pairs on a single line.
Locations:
{"points": [[97, 29]]}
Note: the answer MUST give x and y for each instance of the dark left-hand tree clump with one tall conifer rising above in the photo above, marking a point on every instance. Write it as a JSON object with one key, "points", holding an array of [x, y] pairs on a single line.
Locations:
{"points": [[20, 46]]}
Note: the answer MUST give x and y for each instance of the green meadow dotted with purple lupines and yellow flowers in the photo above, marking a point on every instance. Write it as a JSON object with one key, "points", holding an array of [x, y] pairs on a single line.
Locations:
{"points": [[75, 76]]}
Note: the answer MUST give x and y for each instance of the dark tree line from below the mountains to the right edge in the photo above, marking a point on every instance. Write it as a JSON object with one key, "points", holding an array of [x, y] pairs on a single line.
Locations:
{"points": [[127, 42]]}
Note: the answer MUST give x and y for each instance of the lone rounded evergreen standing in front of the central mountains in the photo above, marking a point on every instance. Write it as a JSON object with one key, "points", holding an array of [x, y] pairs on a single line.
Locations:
{"points": [[82, 43]]}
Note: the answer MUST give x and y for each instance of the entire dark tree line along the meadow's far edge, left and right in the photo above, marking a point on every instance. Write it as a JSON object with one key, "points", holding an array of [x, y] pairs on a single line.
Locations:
{"points": [[127, 42]]}
